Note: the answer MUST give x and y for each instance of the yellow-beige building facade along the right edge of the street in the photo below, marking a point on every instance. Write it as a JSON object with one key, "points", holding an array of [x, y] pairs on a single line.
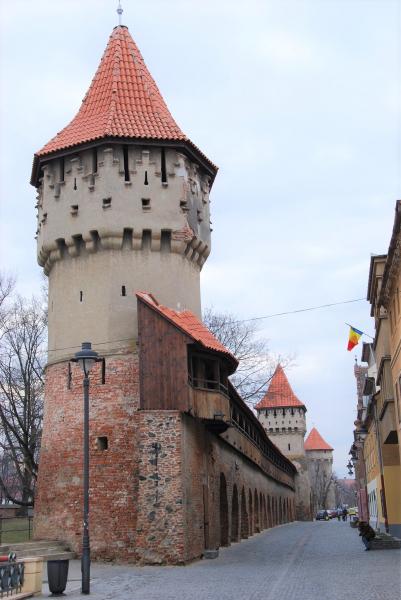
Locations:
{"points": [[382, 423]]}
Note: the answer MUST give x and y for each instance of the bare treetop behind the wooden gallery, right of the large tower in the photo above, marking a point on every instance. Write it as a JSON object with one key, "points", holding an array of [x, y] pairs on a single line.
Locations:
{"points": [[256, 363]]}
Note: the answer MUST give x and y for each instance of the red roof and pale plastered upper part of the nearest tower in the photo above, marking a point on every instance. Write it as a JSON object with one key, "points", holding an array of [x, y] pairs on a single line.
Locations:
{"points": [[123, 205]]}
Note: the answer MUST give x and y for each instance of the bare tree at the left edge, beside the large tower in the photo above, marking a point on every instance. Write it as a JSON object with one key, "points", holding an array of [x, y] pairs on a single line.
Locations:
{"points": [[22, 332]]}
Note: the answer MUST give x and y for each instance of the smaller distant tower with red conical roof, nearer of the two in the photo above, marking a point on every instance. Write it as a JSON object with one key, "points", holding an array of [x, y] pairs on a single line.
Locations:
{"points": [[282, 415]]}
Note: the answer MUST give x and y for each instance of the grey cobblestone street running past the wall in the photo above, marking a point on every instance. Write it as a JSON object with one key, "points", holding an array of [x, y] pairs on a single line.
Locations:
{"points": [[298, 561]]}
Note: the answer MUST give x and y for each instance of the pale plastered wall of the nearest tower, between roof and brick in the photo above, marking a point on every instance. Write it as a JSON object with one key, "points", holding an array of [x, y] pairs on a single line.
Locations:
{"points": [[104, 234]]}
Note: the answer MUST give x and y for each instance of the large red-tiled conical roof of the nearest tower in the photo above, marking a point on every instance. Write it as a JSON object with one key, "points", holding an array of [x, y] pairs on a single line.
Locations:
{"points": [[123, 101]]}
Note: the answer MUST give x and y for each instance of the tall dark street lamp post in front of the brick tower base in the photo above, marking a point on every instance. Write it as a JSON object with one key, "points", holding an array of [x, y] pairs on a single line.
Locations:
{"points": [[86, 358]]}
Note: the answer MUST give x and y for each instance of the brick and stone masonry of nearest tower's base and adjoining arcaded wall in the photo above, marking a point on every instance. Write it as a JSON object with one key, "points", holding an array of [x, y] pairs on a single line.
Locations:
{"points": [[162, 487]]}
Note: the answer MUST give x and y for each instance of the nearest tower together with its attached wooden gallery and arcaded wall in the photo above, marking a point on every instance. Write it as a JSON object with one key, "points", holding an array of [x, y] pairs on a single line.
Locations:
{"points": [[179, 465]]}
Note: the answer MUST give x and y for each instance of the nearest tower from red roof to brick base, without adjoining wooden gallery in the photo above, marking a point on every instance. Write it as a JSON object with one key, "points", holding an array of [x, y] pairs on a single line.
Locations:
{"points": [[123, 206]]}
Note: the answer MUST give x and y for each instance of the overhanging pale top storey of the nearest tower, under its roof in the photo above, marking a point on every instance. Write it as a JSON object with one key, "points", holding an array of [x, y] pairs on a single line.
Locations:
{"points": [[126, 198]]}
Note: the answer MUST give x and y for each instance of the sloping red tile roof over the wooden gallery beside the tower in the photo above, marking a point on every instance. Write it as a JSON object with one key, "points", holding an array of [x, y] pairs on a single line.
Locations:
{"points": [[189, 324]]}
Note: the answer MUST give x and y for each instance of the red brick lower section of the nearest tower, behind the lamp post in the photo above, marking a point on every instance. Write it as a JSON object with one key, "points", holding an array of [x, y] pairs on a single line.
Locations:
{"points": [[113, 483]]}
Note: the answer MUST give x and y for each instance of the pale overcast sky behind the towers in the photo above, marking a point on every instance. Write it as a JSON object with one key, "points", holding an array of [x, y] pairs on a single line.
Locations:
{"points": [[297, 101]]}
